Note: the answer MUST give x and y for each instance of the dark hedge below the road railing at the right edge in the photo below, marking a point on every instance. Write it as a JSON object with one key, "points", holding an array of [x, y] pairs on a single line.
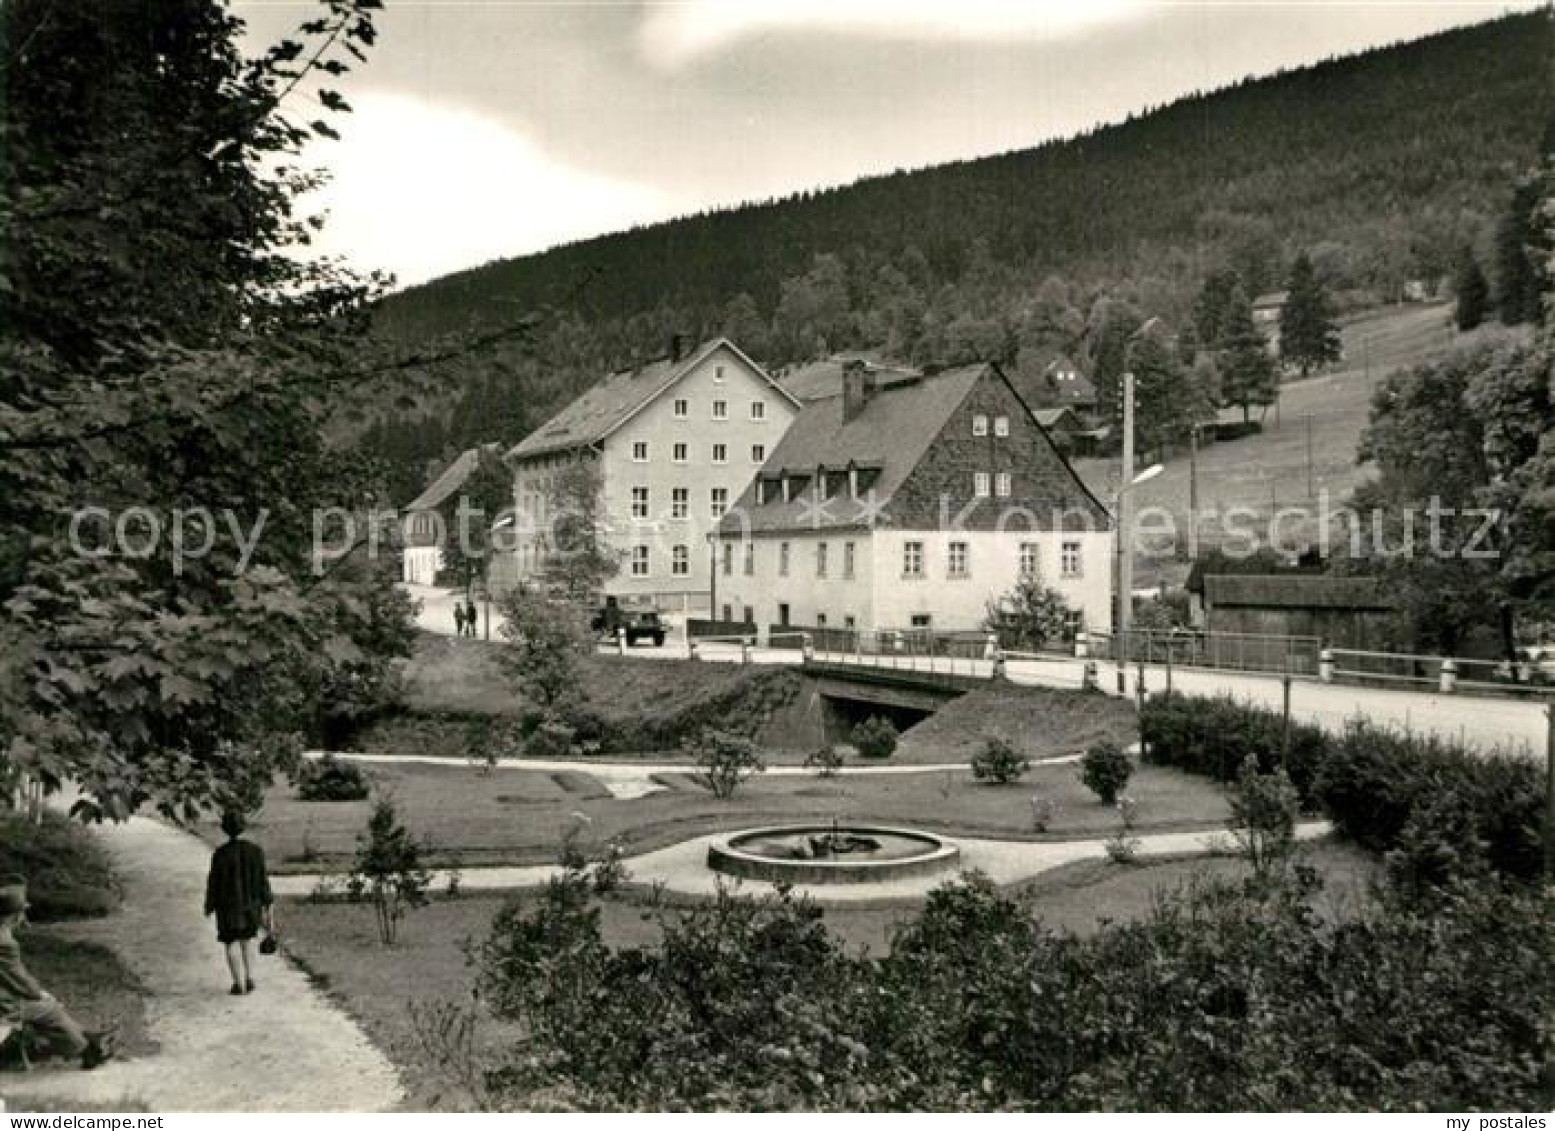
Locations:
{"points": [[1374, 783]]}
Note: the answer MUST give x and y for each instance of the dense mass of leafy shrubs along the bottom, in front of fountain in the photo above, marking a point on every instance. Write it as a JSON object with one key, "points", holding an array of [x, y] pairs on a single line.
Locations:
{"points": [[1223, 998]]}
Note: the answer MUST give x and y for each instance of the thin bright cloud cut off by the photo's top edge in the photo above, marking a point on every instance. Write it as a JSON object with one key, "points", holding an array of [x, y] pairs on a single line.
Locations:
{"points": [[676, 33]]}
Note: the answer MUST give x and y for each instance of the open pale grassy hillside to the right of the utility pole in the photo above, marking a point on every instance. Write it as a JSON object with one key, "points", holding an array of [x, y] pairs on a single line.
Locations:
{"points": [[1270, 471]]}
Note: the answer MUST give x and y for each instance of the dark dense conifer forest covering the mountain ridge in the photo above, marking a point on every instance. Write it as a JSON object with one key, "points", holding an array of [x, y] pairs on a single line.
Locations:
{"points": [[1383, 169]]}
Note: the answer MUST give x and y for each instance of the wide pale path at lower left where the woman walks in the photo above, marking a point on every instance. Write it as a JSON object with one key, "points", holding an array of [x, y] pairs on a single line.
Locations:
{"points": [[282, 1048]]}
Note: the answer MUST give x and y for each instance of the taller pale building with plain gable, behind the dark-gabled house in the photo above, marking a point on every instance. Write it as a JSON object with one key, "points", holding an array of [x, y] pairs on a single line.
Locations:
{"points": [[676, 444]]}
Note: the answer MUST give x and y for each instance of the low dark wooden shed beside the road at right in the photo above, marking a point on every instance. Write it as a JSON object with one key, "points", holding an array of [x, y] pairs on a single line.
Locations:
{"points": [[1343, 612]]}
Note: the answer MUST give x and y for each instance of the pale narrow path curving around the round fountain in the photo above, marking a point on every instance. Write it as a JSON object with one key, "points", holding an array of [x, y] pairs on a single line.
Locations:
{"points": [[685, 867]]}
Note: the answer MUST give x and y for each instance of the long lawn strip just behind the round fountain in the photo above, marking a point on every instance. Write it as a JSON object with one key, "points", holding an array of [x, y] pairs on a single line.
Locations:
{"points": [[520, 816]]}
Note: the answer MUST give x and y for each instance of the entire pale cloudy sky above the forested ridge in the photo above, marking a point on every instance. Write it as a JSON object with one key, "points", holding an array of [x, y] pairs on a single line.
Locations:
{"points": [[492, 128]]}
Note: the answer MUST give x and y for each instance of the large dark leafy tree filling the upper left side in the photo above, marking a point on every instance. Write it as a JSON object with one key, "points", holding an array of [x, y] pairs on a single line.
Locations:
{"points": [[166, 346]]}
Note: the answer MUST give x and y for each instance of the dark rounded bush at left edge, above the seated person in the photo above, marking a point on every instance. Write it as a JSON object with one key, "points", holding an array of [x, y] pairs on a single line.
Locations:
{"points": [[69, 874]]}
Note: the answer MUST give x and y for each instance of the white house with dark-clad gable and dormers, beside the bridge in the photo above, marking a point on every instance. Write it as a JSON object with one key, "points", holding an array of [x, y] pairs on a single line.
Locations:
{"points": [[910, 502]]}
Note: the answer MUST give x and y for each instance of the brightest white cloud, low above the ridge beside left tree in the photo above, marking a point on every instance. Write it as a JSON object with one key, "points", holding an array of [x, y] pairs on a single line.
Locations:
{"points": [[425, 189]]}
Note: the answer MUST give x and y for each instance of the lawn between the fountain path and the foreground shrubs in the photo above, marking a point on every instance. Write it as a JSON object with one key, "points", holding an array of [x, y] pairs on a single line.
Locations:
{"points": [[382, 986]]}
